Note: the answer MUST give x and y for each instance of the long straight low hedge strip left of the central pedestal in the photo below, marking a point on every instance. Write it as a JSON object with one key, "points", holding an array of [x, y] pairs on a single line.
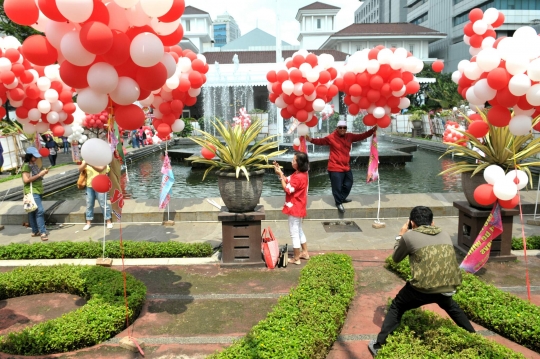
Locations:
{"points": [[132, 249]]}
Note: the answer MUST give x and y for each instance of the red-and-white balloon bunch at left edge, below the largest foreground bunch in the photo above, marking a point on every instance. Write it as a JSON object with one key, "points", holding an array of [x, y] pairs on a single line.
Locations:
{"points": [[41, 100]]}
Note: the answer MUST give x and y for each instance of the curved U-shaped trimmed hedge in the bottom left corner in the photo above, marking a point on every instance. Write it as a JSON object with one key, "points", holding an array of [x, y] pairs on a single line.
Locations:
{"points": [[101, 318]]}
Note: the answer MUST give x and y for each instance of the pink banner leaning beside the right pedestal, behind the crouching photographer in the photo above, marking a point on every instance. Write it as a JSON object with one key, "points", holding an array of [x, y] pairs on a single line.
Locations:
{"points": [[479, 253]]}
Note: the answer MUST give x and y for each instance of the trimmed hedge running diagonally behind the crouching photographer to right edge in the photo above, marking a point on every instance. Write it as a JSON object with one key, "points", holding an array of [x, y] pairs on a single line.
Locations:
{"points": [[485, 304]]}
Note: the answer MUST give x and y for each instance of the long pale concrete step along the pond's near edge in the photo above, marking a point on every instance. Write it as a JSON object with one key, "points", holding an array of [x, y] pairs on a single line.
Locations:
{"points": [[194, 209]]}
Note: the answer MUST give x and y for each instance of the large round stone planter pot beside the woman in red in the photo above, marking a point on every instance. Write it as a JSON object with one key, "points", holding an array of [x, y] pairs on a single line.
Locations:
{"points": [[239, 194]]}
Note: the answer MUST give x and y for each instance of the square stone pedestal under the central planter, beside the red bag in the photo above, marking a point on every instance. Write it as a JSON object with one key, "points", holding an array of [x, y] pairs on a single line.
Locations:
{"points": [[241, 238]]}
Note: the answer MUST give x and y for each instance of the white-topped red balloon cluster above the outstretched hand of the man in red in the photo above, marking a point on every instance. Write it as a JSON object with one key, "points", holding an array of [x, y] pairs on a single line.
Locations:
{"points": [[377, 80]]}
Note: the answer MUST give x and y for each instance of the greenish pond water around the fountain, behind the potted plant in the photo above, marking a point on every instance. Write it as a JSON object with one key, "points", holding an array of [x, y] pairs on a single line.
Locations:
{"points": [[419, 176]]}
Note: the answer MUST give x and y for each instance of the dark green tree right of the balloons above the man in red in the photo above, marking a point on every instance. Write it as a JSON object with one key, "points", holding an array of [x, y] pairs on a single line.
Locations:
{"points": [[441, 94]]}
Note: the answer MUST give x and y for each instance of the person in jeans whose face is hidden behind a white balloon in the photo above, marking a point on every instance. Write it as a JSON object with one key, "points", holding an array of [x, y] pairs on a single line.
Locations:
{"points": [[92, 195]]}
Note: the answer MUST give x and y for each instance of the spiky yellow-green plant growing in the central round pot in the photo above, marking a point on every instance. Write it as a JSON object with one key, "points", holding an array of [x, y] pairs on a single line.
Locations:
{"points": [[237, 154]]}
